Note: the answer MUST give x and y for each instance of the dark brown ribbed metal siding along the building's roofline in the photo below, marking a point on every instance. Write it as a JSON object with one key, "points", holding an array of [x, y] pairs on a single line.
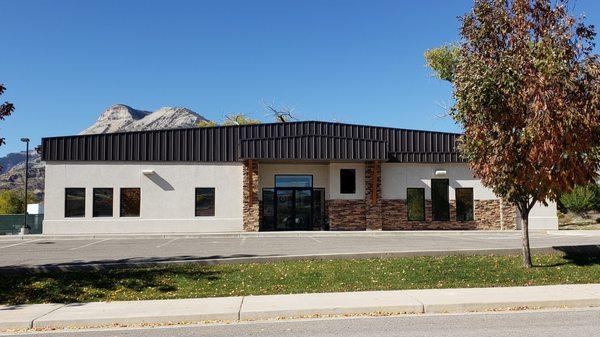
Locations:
{"points": [[296, 140]]}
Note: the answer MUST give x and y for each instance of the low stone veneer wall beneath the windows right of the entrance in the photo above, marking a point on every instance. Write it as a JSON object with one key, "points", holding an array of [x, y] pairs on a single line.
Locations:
{"points": [[486, 216]]}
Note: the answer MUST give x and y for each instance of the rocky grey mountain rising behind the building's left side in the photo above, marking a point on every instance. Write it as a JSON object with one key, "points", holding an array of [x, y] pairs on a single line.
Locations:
{"points": [[117, 118]]}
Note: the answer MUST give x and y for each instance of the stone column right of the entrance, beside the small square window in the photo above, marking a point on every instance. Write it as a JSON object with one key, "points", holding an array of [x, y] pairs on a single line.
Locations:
{"points": [[373, 195]]}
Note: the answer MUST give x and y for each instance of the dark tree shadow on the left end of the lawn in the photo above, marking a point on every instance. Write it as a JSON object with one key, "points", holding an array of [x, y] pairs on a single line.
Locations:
{"points": [[77, 286]]}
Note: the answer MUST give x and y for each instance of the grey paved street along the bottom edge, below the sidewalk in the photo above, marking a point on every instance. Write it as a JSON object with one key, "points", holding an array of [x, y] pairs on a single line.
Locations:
{"points": [[562, 323]]}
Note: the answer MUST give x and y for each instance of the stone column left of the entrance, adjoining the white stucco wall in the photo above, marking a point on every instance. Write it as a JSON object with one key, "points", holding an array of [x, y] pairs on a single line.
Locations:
{"points": [[250, 195]]}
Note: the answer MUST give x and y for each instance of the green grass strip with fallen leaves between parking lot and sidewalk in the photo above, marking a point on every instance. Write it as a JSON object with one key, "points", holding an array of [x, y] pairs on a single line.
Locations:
{"points": [[186, 281]]}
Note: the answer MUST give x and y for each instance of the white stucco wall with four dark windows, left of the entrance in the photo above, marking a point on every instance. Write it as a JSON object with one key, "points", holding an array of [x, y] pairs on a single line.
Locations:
{"points": [[167, 198]]}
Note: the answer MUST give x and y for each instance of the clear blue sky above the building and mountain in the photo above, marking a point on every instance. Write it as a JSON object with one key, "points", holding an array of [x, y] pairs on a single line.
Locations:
{"points": [[64, 62]]}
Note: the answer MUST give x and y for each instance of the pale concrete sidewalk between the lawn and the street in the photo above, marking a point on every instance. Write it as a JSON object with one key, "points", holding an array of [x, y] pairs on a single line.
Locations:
{"points": [[232, 309]]}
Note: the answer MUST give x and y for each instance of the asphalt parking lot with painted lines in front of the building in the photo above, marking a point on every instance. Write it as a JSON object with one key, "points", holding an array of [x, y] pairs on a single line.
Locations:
{"points": [[58, 252]]}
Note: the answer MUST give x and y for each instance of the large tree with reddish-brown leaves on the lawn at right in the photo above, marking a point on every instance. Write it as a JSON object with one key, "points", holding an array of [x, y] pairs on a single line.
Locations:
{"points": [[527, 93]]}
